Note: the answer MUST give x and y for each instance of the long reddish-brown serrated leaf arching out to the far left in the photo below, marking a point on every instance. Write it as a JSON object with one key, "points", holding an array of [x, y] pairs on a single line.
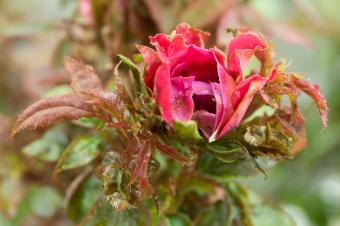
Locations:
{"points": [[47, 111]]}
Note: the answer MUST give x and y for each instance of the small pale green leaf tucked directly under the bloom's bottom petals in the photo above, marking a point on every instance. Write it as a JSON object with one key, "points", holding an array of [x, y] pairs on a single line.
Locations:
{"points": [[187, 130]]}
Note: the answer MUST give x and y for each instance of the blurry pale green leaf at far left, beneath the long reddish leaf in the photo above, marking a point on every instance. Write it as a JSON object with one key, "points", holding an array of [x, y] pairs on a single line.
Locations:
{"points": [[50, 146]]}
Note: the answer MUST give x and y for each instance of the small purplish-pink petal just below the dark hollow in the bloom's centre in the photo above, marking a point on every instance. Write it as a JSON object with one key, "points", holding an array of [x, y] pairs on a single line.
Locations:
{"points": [[205, 121]]}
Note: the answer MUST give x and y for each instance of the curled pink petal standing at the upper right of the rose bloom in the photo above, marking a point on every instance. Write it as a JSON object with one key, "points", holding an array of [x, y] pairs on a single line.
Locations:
{"points": [[240, 50]]}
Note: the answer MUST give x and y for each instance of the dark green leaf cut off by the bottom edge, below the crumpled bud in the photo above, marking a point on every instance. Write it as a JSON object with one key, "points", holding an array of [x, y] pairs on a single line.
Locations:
{"points": [[103, 215]]}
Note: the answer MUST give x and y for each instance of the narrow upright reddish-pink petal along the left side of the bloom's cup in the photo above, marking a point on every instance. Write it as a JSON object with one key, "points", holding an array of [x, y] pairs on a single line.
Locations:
{"points": [[162, 89]]}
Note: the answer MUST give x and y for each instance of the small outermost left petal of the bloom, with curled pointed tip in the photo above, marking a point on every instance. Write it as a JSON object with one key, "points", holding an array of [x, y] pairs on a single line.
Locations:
{"points": [[151, 58]]}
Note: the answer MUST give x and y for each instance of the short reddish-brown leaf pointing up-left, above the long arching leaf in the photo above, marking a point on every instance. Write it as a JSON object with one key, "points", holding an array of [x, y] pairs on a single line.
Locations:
{"points": [[83, 77]]}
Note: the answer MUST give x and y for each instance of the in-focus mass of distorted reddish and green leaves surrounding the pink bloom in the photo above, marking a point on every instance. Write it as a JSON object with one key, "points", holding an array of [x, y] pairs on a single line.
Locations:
{"points": [[145, 168]]}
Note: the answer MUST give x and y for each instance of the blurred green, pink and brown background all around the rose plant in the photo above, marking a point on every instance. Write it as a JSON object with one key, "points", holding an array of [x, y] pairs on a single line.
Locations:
{"points": [[35, 35]]}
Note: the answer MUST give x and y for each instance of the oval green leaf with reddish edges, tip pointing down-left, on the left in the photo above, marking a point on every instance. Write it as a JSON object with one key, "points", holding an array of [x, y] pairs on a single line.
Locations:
{"points": [[80, 152]]}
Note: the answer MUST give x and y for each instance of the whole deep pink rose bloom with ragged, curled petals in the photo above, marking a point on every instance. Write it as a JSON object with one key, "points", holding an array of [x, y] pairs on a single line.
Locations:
{"points": [[191, 82]]}
